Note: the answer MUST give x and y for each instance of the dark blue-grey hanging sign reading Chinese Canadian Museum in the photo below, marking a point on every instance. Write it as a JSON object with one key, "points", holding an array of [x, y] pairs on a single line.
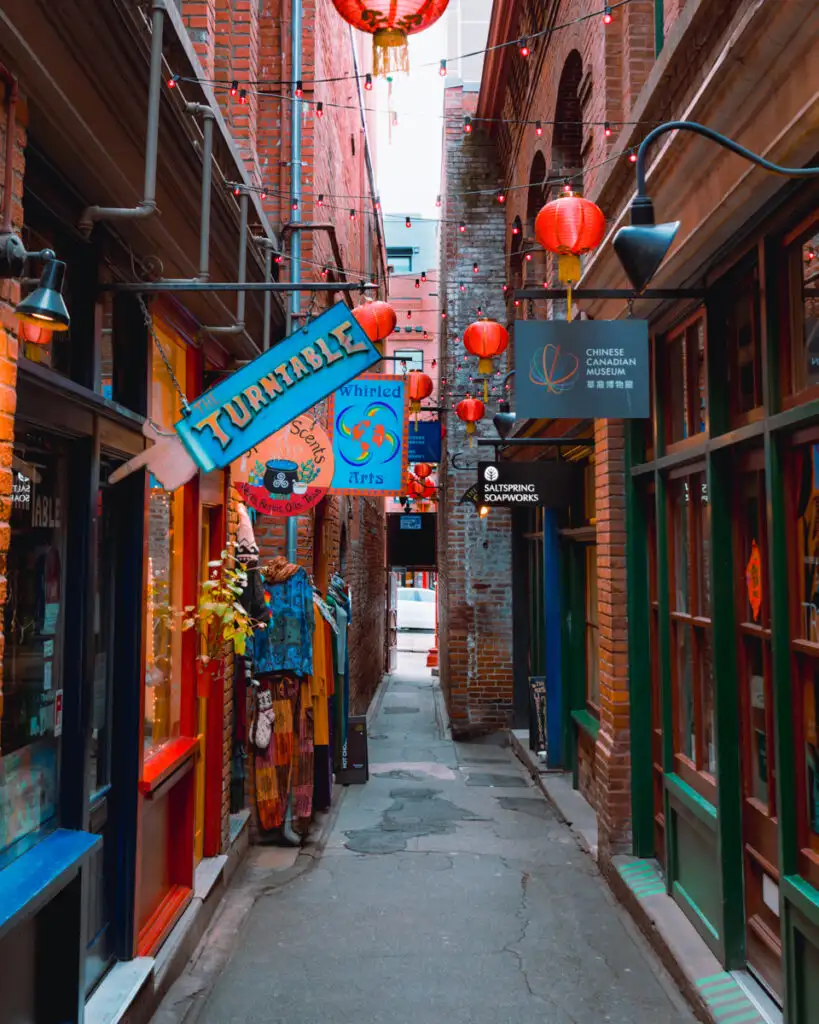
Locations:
{"points": [[583, 369]]}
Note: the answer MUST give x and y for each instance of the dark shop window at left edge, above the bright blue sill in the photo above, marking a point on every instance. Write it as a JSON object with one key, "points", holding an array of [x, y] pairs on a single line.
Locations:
{"points": [[31, 696]]}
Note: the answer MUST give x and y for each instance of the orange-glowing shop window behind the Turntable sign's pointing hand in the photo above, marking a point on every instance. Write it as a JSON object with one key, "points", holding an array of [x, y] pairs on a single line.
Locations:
{"points": [[164, 595]]}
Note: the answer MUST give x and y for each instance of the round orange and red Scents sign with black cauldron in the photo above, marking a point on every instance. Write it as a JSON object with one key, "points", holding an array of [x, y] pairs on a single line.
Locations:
{"points": [[288, 474]]}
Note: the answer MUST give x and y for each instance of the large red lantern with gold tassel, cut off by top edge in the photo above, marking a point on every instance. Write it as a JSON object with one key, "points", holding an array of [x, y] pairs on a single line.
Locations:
{"points": [[391, 22]]}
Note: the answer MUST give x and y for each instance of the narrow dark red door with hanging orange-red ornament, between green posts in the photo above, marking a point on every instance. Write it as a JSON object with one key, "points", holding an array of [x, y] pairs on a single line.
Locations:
{"points": [[761, 856]]}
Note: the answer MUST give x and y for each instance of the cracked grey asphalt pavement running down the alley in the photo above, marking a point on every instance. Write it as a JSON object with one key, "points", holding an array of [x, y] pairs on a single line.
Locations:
{"points": [[449, 891]]}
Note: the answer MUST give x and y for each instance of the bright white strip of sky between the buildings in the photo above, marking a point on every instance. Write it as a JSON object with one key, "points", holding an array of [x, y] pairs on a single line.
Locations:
{"points": [[409, 161]]}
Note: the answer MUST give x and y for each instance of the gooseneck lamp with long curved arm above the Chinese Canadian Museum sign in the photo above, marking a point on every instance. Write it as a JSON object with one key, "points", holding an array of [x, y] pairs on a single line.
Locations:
{"points": [[642, 246]]}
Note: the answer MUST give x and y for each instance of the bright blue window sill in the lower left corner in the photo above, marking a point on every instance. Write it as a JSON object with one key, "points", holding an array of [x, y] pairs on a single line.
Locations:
{"points": [[29, 883]]}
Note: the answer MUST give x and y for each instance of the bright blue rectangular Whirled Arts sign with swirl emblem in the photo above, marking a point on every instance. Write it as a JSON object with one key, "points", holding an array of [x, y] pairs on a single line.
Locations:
{"points": [[371, 419]]}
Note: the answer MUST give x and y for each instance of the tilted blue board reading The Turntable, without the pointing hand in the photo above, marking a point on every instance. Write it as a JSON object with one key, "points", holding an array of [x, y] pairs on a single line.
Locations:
{"points": [[284, 382]]}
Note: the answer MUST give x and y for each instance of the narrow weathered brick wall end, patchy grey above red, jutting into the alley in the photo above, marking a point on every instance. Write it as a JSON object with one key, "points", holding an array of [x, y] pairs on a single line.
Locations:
{"points": [[475, 554]]}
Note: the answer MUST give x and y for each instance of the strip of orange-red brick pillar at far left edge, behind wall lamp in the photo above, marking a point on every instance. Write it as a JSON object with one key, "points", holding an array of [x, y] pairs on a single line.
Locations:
{"points": [[10, 297]]}
